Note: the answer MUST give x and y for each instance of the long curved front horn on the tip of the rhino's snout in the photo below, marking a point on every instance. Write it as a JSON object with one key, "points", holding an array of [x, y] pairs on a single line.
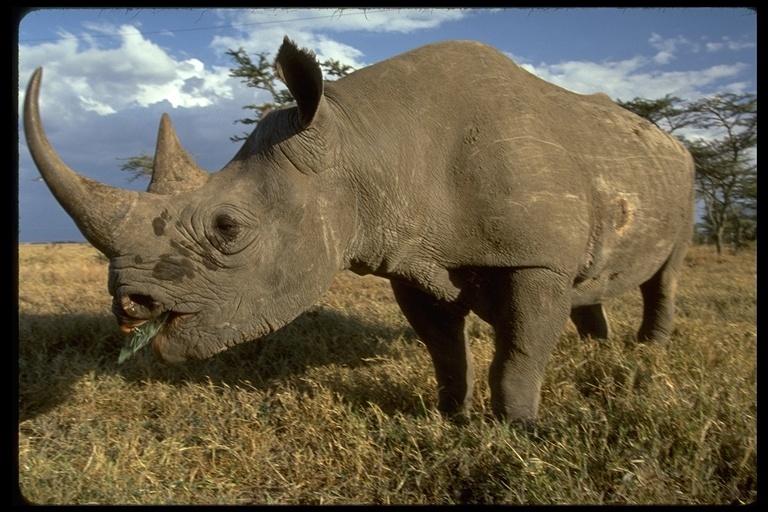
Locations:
{"points": [[97, 209]]}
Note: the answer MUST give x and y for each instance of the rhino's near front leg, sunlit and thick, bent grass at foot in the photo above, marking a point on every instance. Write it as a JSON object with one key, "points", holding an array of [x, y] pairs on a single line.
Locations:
{"points": [[531, 313]]}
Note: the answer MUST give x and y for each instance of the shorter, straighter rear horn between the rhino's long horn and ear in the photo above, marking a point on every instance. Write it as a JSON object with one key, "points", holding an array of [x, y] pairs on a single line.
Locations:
{"points": [[174, 171]]}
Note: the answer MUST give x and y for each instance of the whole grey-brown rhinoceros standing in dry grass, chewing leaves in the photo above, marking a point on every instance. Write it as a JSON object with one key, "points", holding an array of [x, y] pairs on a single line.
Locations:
{"points": [[468, 182]]}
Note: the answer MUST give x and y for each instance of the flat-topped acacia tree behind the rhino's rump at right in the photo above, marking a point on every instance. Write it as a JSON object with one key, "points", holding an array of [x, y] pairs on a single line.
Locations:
{"points": [[726, 172]]}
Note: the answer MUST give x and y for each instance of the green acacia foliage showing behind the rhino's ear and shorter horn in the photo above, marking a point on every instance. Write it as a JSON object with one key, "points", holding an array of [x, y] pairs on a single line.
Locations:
{"points": [[255, 72]]}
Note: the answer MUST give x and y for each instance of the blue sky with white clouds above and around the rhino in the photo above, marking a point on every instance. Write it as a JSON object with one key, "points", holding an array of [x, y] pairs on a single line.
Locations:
{"points": [[109, 74]]}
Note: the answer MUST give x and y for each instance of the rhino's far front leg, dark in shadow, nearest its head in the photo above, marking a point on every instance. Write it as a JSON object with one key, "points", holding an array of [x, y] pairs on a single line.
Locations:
{"points": [[441, 327]]}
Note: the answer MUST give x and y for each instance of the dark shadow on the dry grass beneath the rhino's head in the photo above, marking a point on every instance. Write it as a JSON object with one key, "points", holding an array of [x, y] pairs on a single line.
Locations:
{"points": [[65, 350]]}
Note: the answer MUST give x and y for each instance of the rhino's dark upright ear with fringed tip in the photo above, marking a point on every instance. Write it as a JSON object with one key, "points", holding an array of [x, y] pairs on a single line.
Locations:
{"points": [[301, 73]]}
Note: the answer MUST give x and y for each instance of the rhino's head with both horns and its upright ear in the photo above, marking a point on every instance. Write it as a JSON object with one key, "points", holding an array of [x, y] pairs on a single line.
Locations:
{"points": [[232, 255]]}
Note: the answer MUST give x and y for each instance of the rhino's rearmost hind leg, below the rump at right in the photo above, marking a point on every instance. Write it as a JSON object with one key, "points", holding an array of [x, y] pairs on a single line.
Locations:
{"points": [[659, 300]]}
